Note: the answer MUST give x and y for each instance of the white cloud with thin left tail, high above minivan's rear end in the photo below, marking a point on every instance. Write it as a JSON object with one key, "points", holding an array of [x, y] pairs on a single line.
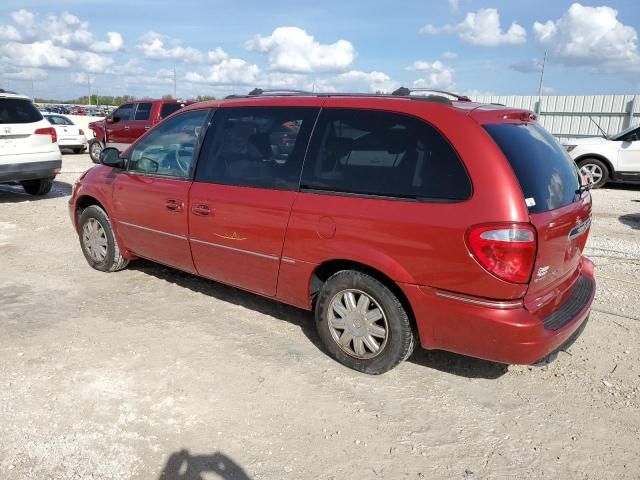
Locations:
{"points": [[481, 28]]}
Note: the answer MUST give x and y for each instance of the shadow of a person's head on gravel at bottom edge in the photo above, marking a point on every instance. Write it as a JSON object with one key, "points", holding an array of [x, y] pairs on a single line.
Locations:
{"points": [[184, 466]]}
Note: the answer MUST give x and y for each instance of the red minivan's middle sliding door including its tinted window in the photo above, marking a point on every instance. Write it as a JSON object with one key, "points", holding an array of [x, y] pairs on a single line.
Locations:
{"points": [[245, 185]]}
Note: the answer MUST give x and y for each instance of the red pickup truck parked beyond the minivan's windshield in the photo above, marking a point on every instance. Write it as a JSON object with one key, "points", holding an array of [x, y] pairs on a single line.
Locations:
{"points": [[128, 122]]}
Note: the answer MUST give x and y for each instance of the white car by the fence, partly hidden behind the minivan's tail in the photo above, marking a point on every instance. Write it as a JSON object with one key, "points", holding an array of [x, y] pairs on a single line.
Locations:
{"points": [[611, 158]]}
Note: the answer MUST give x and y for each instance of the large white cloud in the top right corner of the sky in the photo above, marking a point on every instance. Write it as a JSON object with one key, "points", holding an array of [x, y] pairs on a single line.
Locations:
{"points": [[591, 36]]}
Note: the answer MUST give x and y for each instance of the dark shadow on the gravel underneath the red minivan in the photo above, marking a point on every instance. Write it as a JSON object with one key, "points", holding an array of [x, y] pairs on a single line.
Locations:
{"points": [[445, 362]]}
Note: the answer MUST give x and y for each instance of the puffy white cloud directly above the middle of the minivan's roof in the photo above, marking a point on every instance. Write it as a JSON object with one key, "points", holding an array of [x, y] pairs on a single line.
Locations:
{"points": [[291, 49]]}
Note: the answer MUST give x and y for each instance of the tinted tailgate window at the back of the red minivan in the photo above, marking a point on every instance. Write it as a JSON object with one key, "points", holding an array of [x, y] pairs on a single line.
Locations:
{"points": [[548, 177]]}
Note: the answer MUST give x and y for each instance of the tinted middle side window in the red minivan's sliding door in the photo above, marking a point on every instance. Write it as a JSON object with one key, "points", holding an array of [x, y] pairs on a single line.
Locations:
{"points": [[256, 147]]}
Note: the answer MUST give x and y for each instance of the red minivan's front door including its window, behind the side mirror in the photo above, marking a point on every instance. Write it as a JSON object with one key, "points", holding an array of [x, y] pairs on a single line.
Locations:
{"points": [[150, 197]]}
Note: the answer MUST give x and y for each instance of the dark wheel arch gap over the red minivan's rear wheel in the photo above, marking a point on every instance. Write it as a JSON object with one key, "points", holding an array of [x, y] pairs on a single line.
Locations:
{"points": [[327, 268]]}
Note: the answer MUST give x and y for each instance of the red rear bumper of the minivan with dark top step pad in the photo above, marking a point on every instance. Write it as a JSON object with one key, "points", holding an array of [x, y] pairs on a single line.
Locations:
{"points": [[503, 332]]}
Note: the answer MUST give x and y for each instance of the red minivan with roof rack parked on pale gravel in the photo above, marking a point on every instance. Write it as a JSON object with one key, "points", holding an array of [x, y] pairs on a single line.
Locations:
{"points": [[399, 219]]}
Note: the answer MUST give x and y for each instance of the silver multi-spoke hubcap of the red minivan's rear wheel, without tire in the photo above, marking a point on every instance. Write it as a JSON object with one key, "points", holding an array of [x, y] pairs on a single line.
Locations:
{"points": [[358, 324]]}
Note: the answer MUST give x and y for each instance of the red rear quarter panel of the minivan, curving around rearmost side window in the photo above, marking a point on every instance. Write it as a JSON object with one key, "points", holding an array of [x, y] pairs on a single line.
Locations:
{"points": [[414, 242]]}
